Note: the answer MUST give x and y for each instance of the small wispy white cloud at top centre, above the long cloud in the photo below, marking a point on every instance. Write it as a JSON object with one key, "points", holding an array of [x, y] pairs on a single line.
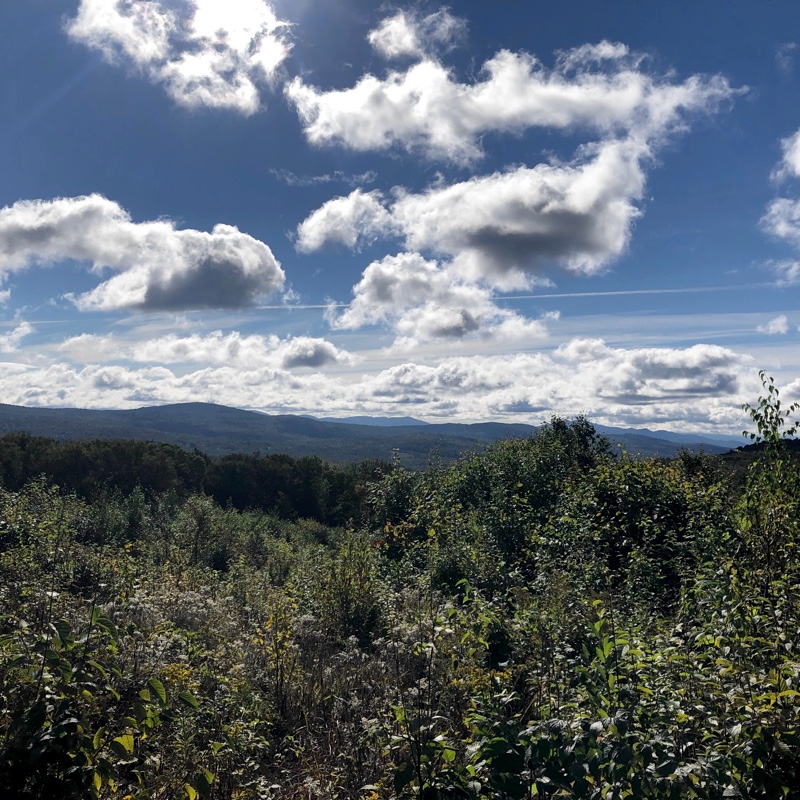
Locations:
{"points": [[406, 34]]}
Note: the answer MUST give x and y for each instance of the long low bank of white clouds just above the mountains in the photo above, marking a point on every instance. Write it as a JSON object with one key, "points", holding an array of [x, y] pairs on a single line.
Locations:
{"points": [[699, 387]]}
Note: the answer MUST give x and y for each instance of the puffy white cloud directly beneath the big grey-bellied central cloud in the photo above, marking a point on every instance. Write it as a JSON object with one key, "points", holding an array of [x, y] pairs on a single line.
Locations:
{"points": [[424, 301]]}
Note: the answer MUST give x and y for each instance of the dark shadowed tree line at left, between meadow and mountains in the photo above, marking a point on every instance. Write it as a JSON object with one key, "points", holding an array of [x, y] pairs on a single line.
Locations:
{"points": [[292, 488]]}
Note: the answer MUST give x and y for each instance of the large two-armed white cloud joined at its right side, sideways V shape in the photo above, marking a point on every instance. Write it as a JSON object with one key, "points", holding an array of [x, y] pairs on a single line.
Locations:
{"points": [[576, 213]]}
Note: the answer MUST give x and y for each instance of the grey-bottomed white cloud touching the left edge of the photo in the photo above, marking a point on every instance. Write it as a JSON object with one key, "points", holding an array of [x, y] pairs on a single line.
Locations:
{"points": [[159, 266]]}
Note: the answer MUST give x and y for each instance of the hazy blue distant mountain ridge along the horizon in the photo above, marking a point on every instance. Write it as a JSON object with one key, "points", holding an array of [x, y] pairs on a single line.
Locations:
{"points": [[218, 430]]}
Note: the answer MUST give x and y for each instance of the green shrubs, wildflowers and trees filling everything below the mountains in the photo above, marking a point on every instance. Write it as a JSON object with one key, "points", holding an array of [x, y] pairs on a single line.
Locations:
{"points": [[548, 618]]}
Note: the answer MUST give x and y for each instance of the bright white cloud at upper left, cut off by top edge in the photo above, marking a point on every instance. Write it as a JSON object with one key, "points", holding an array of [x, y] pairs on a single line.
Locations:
{"points": [[204, 52]]}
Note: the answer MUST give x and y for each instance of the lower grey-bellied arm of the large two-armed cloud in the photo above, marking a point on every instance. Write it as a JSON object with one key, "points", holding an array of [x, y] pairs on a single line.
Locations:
{"points": [[499, 227]]}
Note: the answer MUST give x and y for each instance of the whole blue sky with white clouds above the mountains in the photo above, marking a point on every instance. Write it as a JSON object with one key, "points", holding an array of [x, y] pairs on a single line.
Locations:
{"points": [[483, 211]]}
